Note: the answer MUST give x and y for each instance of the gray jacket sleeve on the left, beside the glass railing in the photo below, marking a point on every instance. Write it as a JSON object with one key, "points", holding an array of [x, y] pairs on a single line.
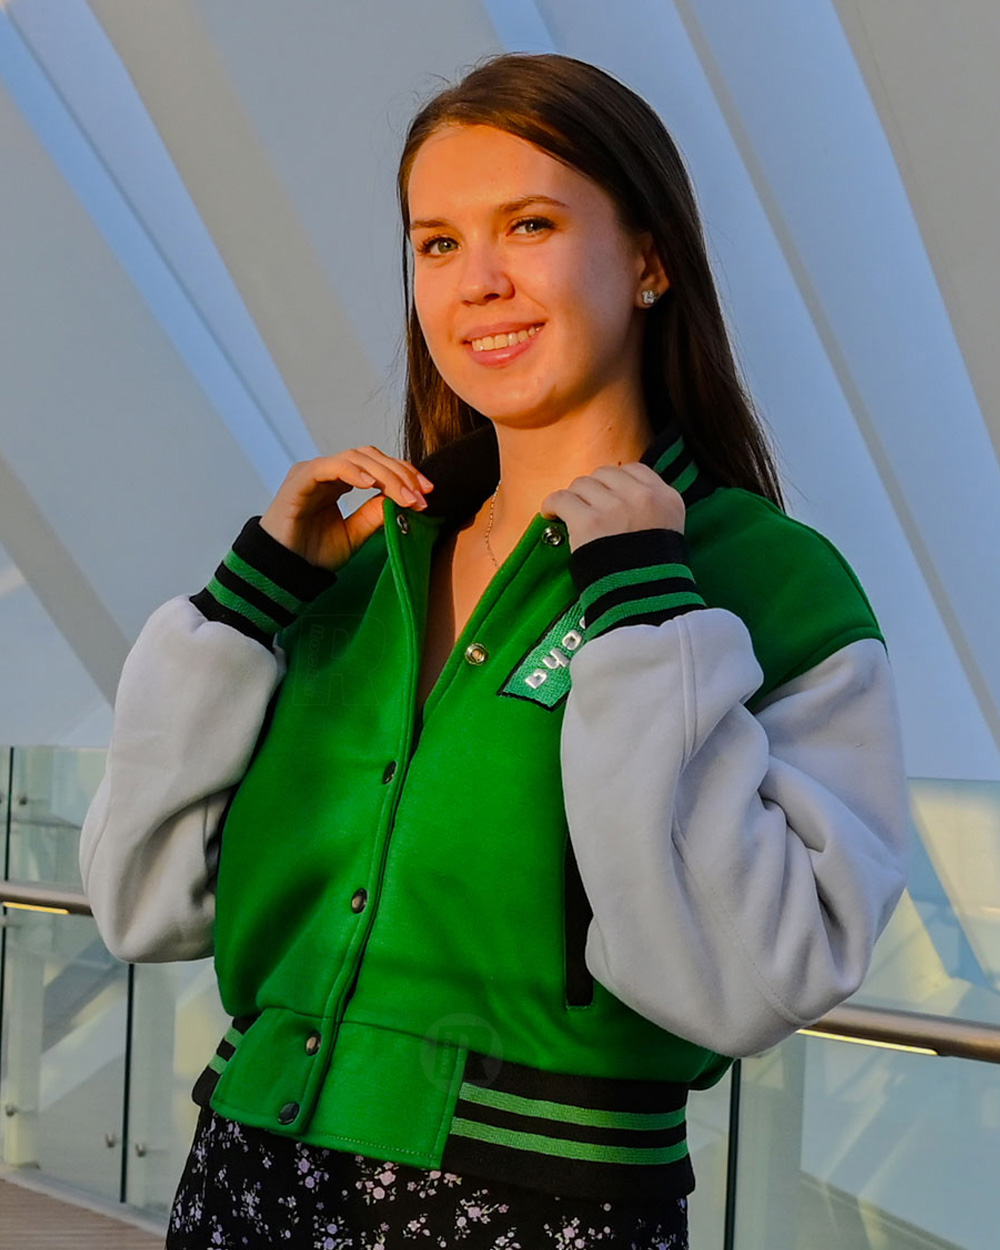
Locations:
{"points": [[191, 704]]}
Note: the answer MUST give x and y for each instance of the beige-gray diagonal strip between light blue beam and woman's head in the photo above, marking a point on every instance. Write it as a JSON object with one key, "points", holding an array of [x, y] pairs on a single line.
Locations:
{"points": [[246, 206]]}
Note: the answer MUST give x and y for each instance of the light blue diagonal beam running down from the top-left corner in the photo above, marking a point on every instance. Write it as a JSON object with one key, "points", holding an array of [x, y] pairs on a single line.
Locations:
{"points": [[77, 96]]}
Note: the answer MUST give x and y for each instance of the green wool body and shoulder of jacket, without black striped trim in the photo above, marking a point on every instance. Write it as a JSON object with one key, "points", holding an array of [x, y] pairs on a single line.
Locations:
{"points": [[456, 831]]}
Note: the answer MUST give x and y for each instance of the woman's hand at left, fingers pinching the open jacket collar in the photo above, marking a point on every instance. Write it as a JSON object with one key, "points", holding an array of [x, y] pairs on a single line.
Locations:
{"points": [[304, 514]]}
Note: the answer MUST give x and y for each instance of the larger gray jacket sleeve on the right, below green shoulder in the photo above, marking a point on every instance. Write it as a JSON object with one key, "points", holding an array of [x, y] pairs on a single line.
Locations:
{"points": [[739, 867]]}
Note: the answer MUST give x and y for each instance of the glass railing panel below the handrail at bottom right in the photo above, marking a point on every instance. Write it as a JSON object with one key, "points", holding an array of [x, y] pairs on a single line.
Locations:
{"points": [[854, 1148]]}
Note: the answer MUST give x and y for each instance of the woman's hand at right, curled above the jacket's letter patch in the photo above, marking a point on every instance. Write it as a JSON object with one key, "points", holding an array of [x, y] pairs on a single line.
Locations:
{"points": [[616, 499]]}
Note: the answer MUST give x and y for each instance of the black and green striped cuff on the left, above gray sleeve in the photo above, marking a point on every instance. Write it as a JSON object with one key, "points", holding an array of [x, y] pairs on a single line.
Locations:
{"points": [[261, 587]]}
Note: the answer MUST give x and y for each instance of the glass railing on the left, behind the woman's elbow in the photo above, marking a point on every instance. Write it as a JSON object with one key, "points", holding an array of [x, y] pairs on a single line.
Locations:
{"points": [[97, 1058]]}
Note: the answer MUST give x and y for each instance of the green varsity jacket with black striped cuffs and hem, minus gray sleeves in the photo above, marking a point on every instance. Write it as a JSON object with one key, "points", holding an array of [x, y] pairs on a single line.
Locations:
{"points": [[401, 921]]}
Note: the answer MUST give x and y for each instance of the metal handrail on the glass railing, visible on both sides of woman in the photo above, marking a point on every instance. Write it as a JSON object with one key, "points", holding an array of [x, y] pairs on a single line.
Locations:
{"points": [[941, 1036]]}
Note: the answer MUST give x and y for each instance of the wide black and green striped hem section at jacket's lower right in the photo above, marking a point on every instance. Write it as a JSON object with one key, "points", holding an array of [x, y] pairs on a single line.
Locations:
{"points": [[573, 1136]]}
